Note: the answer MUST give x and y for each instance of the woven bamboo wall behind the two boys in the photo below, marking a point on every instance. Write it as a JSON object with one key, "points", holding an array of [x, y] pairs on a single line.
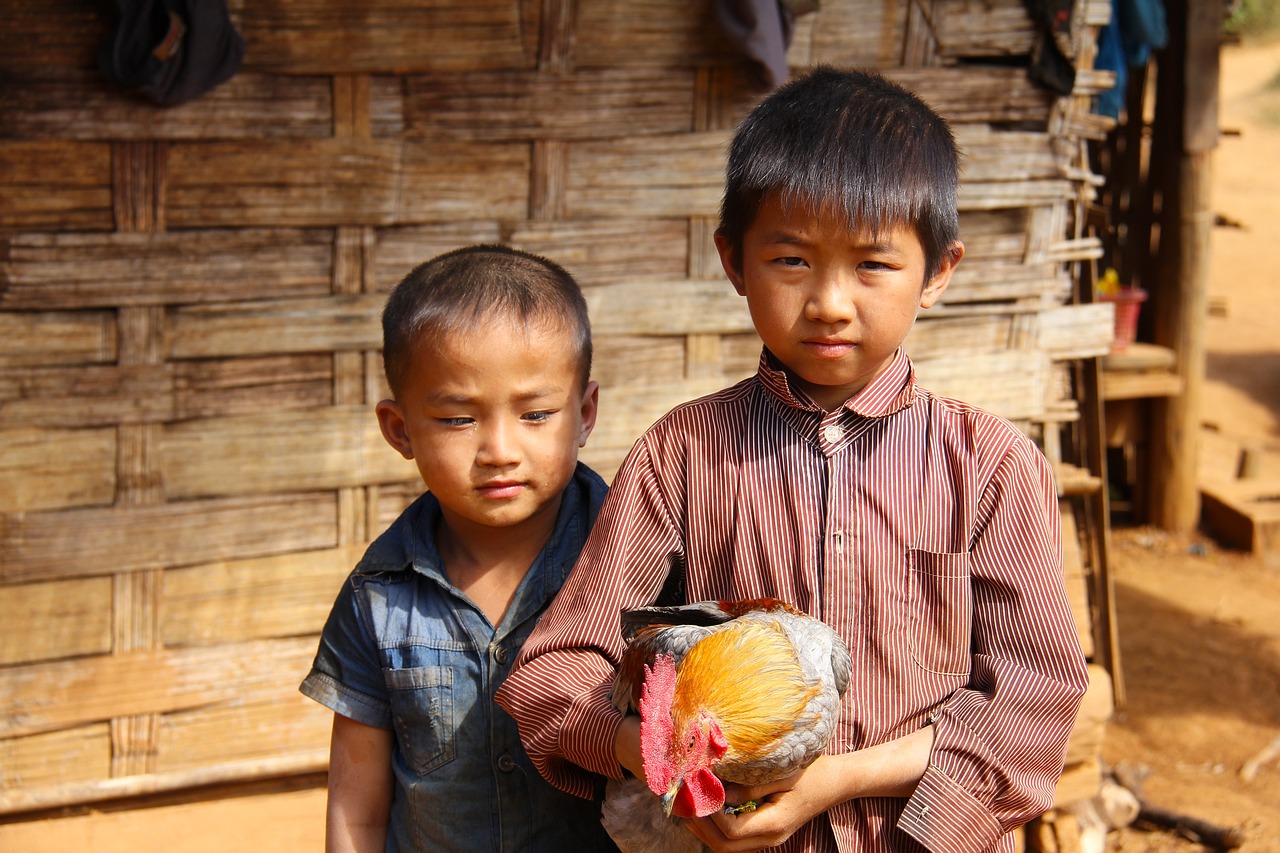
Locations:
{"points": [[190, 298]]}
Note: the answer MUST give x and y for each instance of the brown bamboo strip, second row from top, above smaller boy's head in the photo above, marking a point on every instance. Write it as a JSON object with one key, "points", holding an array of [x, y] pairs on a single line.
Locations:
{"points": [[589, 103]]}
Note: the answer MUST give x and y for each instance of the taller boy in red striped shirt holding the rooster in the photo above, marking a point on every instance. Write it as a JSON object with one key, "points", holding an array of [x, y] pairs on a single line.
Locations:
{"points": [[924, 531]]}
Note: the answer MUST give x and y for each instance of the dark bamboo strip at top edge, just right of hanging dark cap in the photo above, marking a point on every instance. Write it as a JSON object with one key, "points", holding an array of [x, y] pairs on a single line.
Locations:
{"points": [[390, 37]]}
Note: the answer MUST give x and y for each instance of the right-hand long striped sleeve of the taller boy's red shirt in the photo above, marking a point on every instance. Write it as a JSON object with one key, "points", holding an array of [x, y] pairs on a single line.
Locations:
{"points": [[1000, 742]]}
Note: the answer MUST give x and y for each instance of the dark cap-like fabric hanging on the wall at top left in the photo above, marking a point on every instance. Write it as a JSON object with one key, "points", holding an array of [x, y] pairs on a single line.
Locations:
{"points": [[172, 52]]}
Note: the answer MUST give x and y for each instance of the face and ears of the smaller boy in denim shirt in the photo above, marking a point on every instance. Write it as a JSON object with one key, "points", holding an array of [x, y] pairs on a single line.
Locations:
{"points": [[495, 418]]}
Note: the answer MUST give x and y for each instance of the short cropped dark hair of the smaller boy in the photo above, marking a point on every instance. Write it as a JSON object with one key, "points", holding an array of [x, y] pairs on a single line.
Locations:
{"points": [[454, 291]]}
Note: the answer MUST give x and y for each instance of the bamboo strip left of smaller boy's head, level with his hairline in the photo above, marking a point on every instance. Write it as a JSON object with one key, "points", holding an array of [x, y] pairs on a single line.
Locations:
{"points": [[333, 323]]}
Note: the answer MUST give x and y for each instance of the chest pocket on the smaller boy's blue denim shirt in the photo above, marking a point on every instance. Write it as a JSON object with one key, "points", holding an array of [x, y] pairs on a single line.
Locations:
{"points": [[422, 703]]}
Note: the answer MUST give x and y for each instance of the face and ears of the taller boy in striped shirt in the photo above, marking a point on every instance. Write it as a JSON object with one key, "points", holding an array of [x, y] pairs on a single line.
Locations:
{"points": [[831, 305]]}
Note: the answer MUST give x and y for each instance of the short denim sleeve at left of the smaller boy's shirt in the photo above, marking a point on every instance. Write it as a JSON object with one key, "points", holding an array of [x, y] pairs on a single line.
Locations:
{"points": [[348, 673]]}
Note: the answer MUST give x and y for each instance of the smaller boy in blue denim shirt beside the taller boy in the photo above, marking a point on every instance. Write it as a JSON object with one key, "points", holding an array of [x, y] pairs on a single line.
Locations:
{"points": [[488, 355]]}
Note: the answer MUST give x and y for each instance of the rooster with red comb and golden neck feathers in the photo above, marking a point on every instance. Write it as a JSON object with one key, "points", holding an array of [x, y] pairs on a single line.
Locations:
{"points": [[746, 692]]}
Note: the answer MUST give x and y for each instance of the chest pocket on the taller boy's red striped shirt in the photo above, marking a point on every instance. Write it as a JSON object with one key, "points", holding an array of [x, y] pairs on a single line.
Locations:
{"points": [[941, 606]]}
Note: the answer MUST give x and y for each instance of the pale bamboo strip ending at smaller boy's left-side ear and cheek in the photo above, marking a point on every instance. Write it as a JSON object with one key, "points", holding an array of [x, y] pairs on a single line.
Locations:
{"points": [[262, 454]]}
